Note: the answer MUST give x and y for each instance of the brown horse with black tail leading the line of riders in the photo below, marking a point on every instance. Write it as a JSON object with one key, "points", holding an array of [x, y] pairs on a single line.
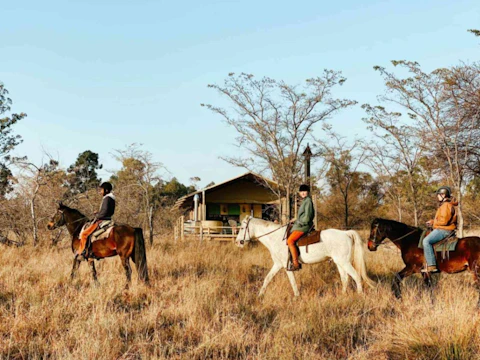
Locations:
{"points": [[125, 241]]}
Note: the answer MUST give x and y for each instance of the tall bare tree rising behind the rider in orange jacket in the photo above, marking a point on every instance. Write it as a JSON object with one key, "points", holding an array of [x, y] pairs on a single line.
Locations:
{"points": [[436, 103]]}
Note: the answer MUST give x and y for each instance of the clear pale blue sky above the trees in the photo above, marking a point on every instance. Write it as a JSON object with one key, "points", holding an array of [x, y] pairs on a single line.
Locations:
{"points": [[100, 75]]}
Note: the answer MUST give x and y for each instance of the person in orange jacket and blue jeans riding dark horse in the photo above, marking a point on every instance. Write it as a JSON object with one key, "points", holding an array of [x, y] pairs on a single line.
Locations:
{"points": [[444, 223]]}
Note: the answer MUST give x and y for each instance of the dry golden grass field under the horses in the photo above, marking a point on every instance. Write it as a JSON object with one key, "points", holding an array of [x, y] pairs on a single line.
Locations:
{"points": [[203, 304]]}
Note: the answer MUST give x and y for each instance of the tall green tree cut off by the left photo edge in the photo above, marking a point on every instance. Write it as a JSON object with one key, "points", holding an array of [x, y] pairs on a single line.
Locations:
{"points": [[8, 140]]}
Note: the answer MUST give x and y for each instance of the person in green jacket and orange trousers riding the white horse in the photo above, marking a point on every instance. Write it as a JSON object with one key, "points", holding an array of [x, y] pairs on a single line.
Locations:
{"points": [[302, 224]]}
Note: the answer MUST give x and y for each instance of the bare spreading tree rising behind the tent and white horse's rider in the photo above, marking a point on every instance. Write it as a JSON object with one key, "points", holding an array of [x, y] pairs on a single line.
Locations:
{"points": [[273, 121]]}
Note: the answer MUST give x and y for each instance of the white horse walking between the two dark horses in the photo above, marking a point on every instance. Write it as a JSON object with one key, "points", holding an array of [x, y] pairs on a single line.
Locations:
{"points": [[335, 244]]}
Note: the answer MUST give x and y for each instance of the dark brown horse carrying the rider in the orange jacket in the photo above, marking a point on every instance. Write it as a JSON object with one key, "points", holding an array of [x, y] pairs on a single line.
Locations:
{"points": [[406, 238]]}
